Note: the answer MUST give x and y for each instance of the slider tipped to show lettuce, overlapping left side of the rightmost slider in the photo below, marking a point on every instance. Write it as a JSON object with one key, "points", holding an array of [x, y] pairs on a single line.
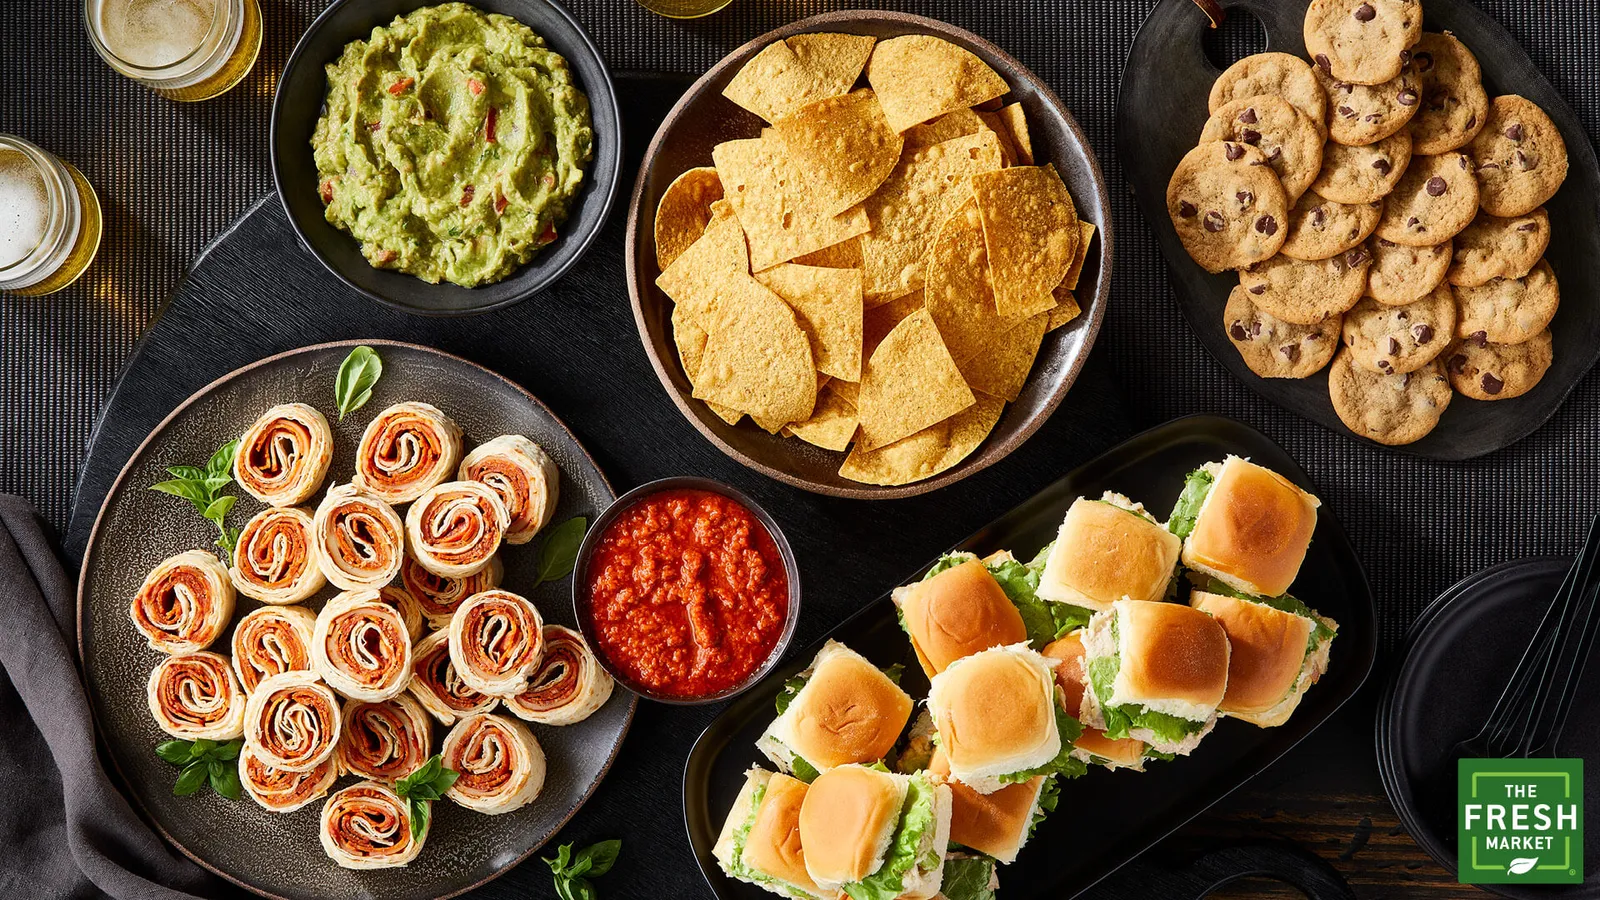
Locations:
{"points": [[1158, 673]]}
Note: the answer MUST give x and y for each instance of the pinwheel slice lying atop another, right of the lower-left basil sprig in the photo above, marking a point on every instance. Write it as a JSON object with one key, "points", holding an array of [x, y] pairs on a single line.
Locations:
{"points": [[294, 721]]}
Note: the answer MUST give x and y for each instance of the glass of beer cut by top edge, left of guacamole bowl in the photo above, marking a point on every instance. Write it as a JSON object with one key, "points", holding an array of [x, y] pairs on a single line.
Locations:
{"points": [[185, 50]]}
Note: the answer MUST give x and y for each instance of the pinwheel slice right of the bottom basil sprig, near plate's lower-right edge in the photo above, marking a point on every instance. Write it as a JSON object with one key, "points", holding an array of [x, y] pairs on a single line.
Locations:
{"points": [[500, 765]]}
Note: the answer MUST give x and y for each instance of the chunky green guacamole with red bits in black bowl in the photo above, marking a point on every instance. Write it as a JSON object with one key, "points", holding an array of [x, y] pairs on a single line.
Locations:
{"points": [[452, 145]]}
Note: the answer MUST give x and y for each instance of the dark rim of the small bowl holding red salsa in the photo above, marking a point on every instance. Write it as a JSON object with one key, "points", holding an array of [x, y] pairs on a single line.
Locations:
{"points": [[628, 502]]}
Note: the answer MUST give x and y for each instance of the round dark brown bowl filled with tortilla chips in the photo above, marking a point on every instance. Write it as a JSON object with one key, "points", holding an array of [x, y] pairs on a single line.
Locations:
{"points": [[870, 254]]}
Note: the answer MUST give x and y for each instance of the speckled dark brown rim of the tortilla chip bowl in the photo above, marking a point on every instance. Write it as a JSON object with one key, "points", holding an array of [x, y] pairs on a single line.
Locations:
{"points": [[990, 452]]}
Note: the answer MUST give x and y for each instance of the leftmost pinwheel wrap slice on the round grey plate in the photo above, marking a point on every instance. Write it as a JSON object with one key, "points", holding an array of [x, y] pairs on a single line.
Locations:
{"points": [[185, 603]]}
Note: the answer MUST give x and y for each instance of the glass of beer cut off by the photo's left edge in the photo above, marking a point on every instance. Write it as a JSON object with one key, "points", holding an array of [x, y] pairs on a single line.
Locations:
{"points": [[50, 220]]}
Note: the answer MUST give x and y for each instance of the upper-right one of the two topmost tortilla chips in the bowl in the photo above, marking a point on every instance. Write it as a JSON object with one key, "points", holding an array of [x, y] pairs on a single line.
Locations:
{"points": [[921, 76]]}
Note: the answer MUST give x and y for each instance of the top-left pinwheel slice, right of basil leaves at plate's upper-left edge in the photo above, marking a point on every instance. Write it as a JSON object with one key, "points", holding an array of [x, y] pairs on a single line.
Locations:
{"points": [[286, 456]]}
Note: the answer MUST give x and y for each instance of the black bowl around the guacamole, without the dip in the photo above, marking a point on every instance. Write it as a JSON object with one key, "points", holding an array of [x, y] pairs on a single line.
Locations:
{"points": [[298, 105]]}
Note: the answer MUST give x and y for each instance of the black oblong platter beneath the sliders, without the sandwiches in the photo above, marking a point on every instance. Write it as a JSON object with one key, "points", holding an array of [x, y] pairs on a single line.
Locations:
{"points": [[1148, 806]]}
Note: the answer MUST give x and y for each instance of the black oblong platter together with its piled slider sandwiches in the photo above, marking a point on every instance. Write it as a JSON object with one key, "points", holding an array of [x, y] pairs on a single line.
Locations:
{"points": [[1050, 697]]}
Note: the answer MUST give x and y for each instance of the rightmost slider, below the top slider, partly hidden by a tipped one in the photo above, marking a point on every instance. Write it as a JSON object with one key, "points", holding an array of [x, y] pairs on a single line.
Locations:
{"points": [[1279, 649]]}
